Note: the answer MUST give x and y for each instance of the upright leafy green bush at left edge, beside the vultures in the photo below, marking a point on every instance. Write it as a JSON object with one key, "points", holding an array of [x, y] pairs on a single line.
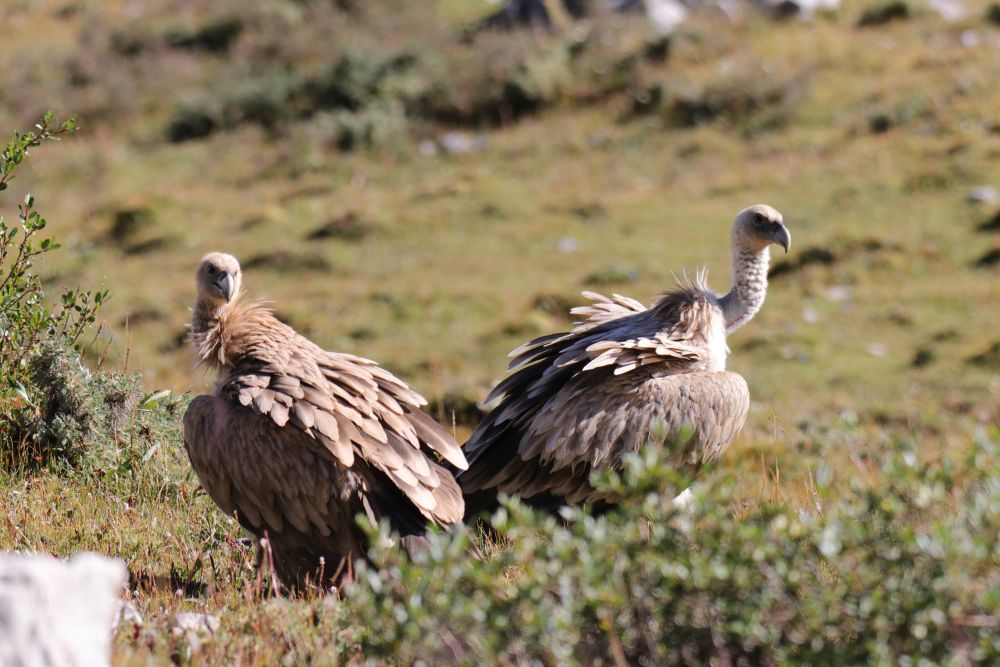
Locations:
{"points": [[40, 387]]}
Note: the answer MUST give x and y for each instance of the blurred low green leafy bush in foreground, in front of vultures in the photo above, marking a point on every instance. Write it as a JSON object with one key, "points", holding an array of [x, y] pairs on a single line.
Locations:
{"points": [[900, 574]]}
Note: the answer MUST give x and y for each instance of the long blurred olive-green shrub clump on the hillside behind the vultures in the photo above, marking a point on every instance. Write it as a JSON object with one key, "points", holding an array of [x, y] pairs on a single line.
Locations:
{"points": [[430, 77]]}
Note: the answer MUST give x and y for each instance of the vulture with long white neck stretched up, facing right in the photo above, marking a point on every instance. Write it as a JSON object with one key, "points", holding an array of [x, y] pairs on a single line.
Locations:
{"points": [[580, 401]]}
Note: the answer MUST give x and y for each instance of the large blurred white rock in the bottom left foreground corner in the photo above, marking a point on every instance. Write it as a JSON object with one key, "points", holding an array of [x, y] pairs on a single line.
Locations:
{"points": [[57, 612]]}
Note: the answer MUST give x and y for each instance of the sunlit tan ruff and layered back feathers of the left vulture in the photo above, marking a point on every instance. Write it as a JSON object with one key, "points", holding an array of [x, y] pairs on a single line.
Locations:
{"points": [[348, 404]]}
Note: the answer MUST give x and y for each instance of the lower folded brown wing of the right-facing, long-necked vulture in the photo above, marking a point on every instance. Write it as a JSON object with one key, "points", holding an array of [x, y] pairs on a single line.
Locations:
{"points": [[695, 415]]}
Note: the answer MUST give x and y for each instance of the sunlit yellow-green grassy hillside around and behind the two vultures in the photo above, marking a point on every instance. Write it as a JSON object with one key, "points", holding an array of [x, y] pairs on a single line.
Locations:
{"points": [[308, 141]]}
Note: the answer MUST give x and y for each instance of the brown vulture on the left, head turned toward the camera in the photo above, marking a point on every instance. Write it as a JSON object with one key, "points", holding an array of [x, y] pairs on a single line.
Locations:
{"points": [[297, 441]]}
